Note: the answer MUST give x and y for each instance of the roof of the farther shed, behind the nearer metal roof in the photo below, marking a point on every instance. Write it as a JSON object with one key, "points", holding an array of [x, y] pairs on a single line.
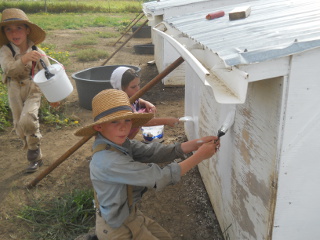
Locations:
{"points": [[158, 8]]}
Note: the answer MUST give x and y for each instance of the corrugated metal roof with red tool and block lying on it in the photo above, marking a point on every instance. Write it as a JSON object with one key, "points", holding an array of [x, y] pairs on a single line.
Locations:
{"points": [[275, 28]]}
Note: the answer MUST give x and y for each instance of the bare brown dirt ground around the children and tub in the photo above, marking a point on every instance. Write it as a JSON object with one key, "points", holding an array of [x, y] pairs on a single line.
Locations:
{"points": [[184, 209]]}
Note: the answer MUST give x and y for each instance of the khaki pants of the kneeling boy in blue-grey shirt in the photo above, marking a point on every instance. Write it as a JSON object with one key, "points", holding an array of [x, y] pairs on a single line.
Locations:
{"points": [[136, 227]]}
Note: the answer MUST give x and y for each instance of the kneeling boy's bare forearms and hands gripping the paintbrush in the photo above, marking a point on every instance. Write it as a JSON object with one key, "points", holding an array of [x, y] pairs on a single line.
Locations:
{"points": [[206, 147]]}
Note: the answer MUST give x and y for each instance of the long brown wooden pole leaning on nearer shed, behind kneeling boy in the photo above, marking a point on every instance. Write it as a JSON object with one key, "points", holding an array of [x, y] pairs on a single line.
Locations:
{"points": [[68, 153]]}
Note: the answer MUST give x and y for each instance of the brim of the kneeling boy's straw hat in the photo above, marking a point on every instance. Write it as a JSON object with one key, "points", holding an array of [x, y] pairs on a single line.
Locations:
{"points": [[138, 119]]}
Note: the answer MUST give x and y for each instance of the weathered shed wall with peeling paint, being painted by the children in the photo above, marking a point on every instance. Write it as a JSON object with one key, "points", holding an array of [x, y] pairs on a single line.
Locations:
{"points": [[240, 178]]}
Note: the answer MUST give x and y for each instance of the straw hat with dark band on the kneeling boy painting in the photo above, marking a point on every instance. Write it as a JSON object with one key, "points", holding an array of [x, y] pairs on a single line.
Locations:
{"points": [[111, 105]]}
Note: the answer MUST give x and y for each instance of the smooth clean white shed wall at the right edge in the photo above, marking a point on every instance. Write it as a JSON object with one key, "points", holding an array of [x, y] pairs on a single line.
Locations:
{"points": [[297, 214]]}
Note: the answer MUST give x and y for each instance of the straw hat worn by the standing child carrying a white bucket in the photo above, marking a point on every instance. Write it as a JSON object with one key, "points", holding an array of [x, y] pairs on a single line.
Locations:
{"points": [[17, 16]]}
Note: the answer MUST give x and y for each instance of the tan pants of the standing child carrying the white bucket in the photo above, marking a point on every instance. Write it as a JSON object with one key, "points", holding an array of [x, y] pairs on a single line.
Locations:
{"points": [[24, 99]]}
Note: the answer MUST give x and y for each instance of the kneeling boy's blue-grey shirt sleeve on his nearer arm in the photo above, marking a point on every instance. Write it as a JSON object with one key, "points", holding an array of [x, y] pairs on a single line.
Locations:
{"points": [[114, 167]]}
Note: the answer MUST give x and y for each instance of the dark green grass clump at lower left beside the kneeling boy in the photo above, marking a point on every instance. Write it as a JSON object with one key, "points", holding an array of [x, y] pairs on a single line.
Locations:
{"points": [[62, 218]]}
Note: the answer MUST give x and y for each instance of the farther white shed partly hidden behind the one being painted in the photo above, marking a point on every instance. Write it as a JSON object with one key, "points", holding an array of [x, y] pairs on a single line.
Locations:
{"points": [[156, 12]]}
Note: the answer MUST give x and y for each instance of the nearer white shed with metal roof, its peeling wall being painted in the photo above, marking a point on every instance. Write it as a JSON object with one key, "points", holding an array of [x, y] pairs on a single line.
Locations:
{"points": [[264, 182]]}
